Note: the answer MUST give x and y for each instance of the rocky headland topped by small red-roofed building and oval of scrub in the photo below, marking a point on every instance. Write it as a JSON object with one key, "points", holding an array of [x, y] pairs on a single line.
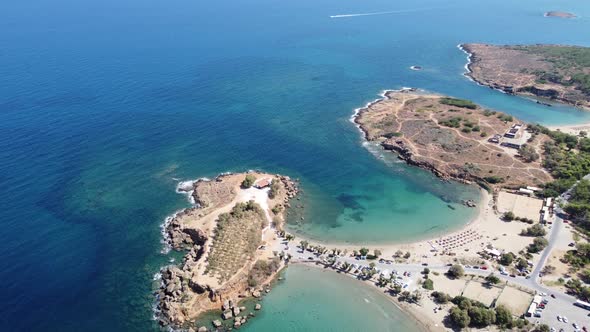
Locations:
{"points": [[227, 237]]}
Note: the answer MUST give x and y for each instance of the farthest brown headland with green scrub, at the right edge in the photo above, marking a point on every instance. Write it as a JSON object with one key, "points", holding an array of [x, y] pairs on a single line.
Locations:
{"points": [[549, 72]]}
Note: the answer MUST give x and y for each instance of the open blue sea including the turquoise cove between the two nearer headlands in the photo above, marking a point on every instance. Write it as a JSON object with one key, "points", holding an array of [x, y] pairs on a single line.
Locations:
{"points": [[106, 105]]}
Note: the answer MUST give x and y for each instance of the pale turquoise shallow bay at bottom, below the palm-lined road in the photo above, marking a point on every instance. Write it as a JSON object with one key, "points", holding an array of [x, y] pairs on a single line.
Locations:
{"points": [[288, 306]]}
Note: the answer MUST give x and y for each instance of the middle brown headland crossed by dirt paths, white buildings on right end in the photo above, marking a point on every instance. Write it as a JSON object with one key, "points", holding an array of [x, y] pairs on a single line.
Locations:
{"points": [[455, 139]]}
